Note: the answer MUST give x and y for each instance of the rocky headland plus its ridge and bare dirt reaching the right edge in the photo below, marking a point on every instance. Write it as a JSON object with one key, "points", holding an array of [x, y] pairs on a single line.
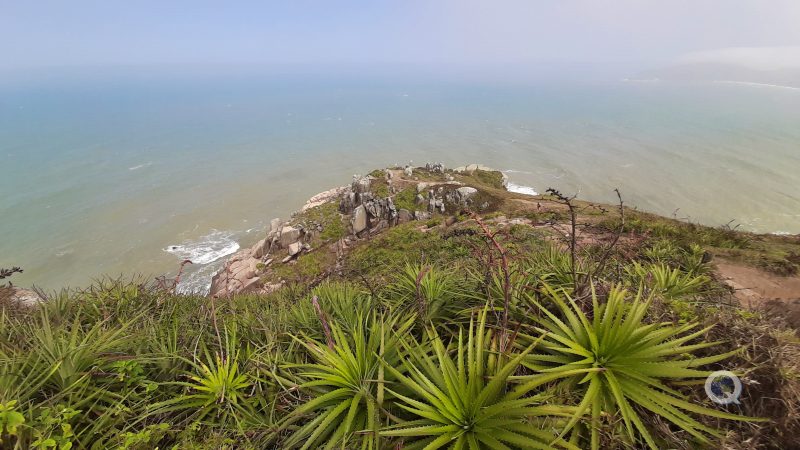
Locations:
{"points": [[763, 274]]}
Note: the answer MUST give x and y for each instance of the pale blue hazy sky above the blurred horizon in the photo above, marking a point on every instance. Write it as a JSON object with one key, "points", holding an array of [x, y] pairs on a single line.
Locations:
{"points": [[36, 33]]}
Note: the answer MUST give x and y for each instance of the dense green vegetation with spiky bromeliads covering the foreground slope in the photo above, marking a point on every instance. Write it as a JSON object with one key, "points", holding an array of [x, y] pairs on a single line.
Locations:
{"points": [[414, 354]]}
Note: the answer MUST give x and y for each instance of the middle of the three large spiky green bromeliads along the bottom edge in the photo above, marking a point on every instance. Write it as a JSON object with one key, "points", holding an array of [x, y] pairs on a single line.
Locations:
{"points": [[464, 399]]}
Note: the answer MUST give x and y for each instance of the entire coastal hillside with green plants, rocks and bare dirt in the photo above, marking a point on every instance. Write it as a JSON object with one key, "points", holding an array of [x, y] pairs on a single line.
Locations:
{"points": [[425, 307]]}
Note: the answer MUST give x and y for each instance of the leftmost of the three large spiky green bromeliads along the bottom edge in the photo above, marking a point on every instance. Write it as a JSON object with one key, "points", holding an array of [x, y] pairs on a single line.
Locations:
{"points": [[346, 385]]}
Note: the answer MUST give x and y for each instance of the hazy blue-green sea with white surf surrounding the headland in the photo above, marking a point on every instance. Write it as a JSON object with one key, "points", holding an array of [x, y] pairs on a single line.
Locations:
{"points": [[108, 177]]}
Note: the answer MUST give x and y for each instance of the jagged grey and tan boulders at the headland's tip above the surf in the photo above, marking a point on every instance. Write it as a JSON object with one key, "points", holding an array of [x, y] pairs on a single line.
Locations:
{"points": [[369, 204]]}
